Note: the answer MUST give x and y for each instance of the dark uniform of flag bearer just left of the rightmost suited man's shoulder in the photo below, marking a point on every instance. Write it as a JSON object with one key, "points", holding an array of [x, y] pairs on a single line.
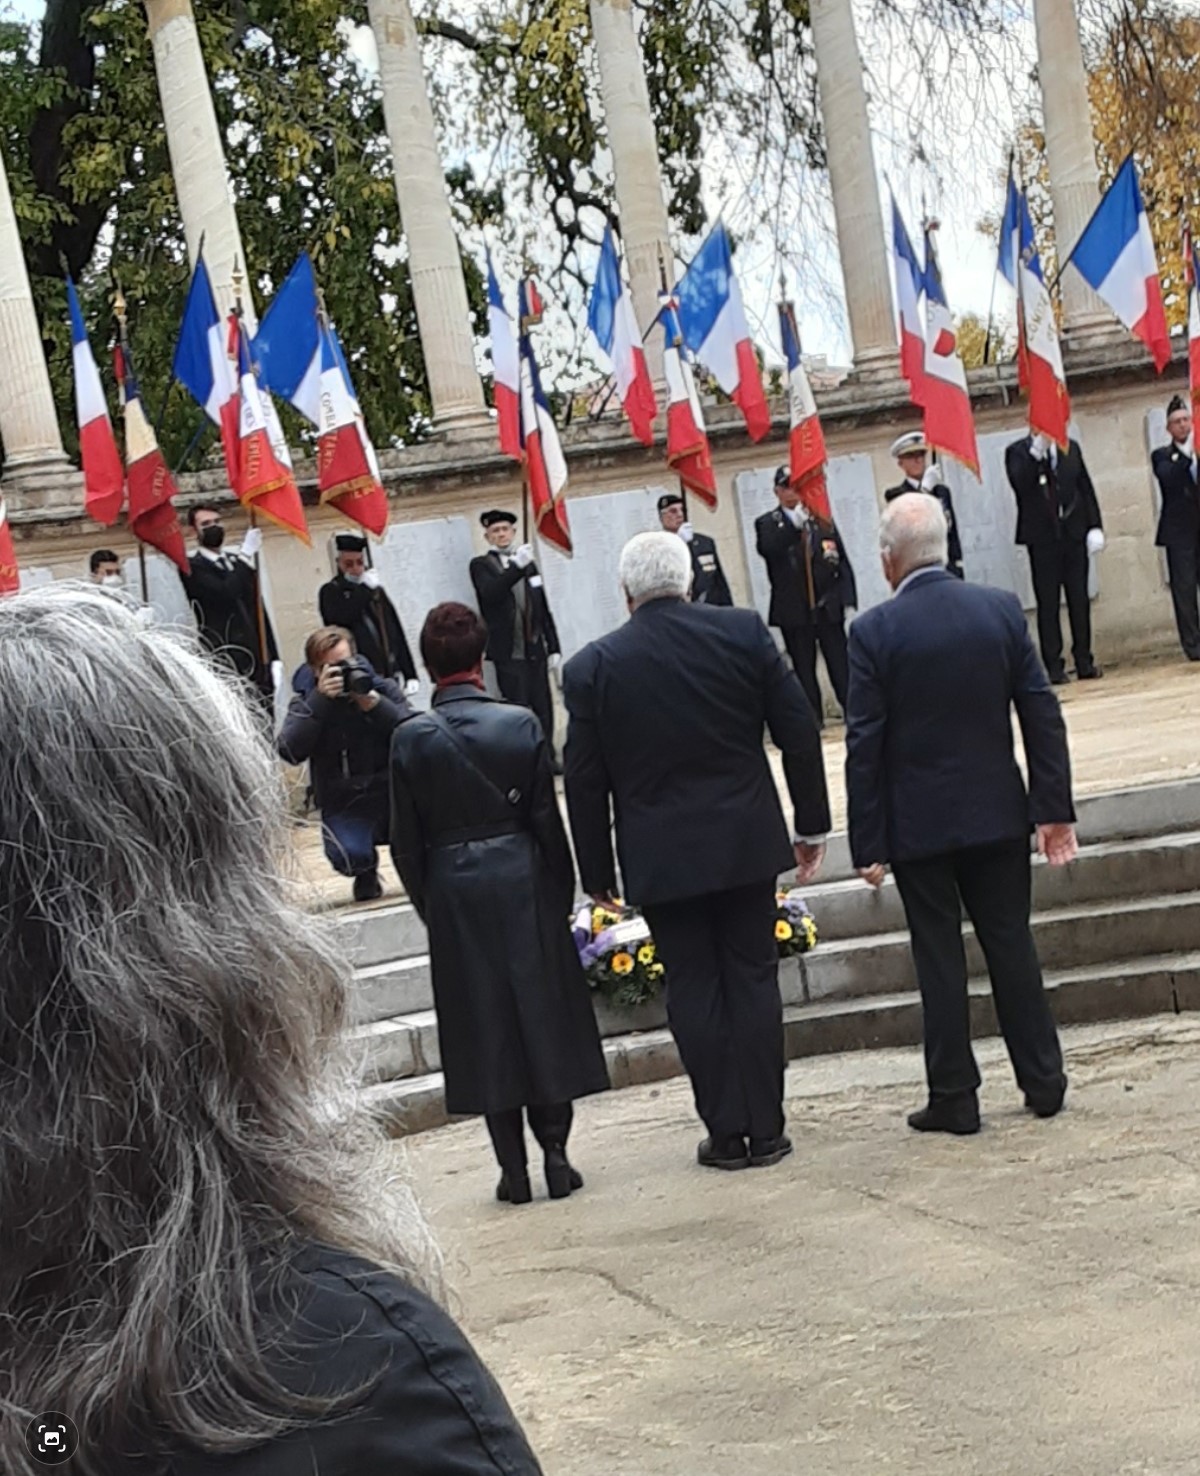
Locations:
{"points": [[813, 587]]}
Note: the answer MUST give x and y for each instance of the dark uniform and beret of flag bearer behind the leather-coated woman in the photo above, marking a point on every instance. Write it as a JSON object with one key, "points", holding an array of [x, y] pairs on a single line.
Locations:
{"points": [[522, 635]]}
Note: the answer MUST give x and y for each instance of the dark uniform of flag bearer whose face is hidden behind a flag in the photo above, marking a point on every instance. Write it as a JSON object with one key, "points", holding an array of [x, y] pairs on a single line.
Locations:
{"points": [[1056, 510]]}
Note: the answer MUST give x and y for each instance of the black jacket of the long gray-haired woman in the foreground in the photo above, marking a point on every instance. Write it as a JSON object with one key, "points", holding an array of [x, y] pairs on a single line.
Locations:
{"points": [[430, 1409]]}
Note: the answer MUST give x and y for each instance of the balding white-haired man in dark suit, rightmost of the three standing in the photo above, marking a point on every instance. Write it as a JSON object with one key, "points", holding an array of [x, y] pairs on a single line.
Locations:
{"points": [[935, 792]]}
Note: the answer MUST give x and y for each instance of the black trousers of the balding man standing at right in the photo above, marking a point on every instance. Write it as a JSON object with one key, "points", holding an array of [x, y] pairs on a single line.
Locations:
{"points": [[993, 883]]}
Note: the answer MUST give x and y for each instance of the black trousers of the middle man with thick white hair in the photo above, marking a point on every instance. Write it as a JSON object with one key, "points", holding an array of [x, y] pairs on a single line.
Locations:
{"points": [[724, 1006]]}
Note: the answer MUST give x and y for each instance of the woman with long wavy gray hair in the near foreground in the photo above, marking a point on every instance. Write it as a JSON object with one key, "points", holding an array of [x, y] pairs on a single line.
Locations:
{"points": [[206, 1264]]}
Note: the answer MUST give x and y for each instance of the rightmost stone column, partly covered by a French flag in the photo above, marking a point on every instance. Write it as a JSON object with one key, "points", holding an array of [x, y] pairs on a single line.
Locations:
{"points": [[1071, 156]]}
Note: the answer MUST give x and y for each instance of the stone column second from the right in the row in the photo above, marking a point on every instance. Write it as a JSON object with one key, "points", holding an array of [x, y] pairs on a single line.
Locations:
{"points": [[855, 187]]}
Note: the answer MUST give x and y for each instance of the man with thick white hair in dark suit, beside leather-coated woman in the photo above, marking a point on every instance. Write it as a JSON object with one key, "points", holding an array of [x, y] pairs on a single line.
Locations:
{"points": [[666, 733]]}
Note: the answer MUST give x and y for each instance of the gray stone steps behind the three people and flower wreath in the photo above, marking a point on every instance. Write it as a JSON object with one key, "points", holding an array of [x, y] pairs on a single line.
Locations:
{"points": [[1118, 934]]}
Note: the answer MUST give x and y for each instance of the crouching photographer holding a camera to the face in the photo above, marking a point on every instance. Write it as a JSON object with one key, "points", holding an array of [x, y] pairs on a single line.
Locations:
{"points": [[340, 723]]}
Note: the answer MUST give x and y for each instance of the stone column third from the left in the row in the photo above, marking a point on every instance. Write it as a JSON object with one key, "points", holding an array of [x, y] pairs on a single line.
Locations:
{"points": [[438, 283]]}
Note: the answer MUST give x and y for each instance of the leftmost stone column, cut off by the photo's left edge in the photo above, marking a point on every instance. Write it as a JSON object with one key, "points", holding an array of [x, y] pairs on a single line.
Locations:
{"points": [[29, 423]]}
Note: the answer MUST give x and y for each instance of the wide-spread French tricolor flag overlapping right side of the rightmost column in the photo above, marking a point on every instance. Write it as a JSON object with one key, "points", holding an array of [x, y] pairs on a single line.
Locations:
{"points": [[1117, 259]]}
